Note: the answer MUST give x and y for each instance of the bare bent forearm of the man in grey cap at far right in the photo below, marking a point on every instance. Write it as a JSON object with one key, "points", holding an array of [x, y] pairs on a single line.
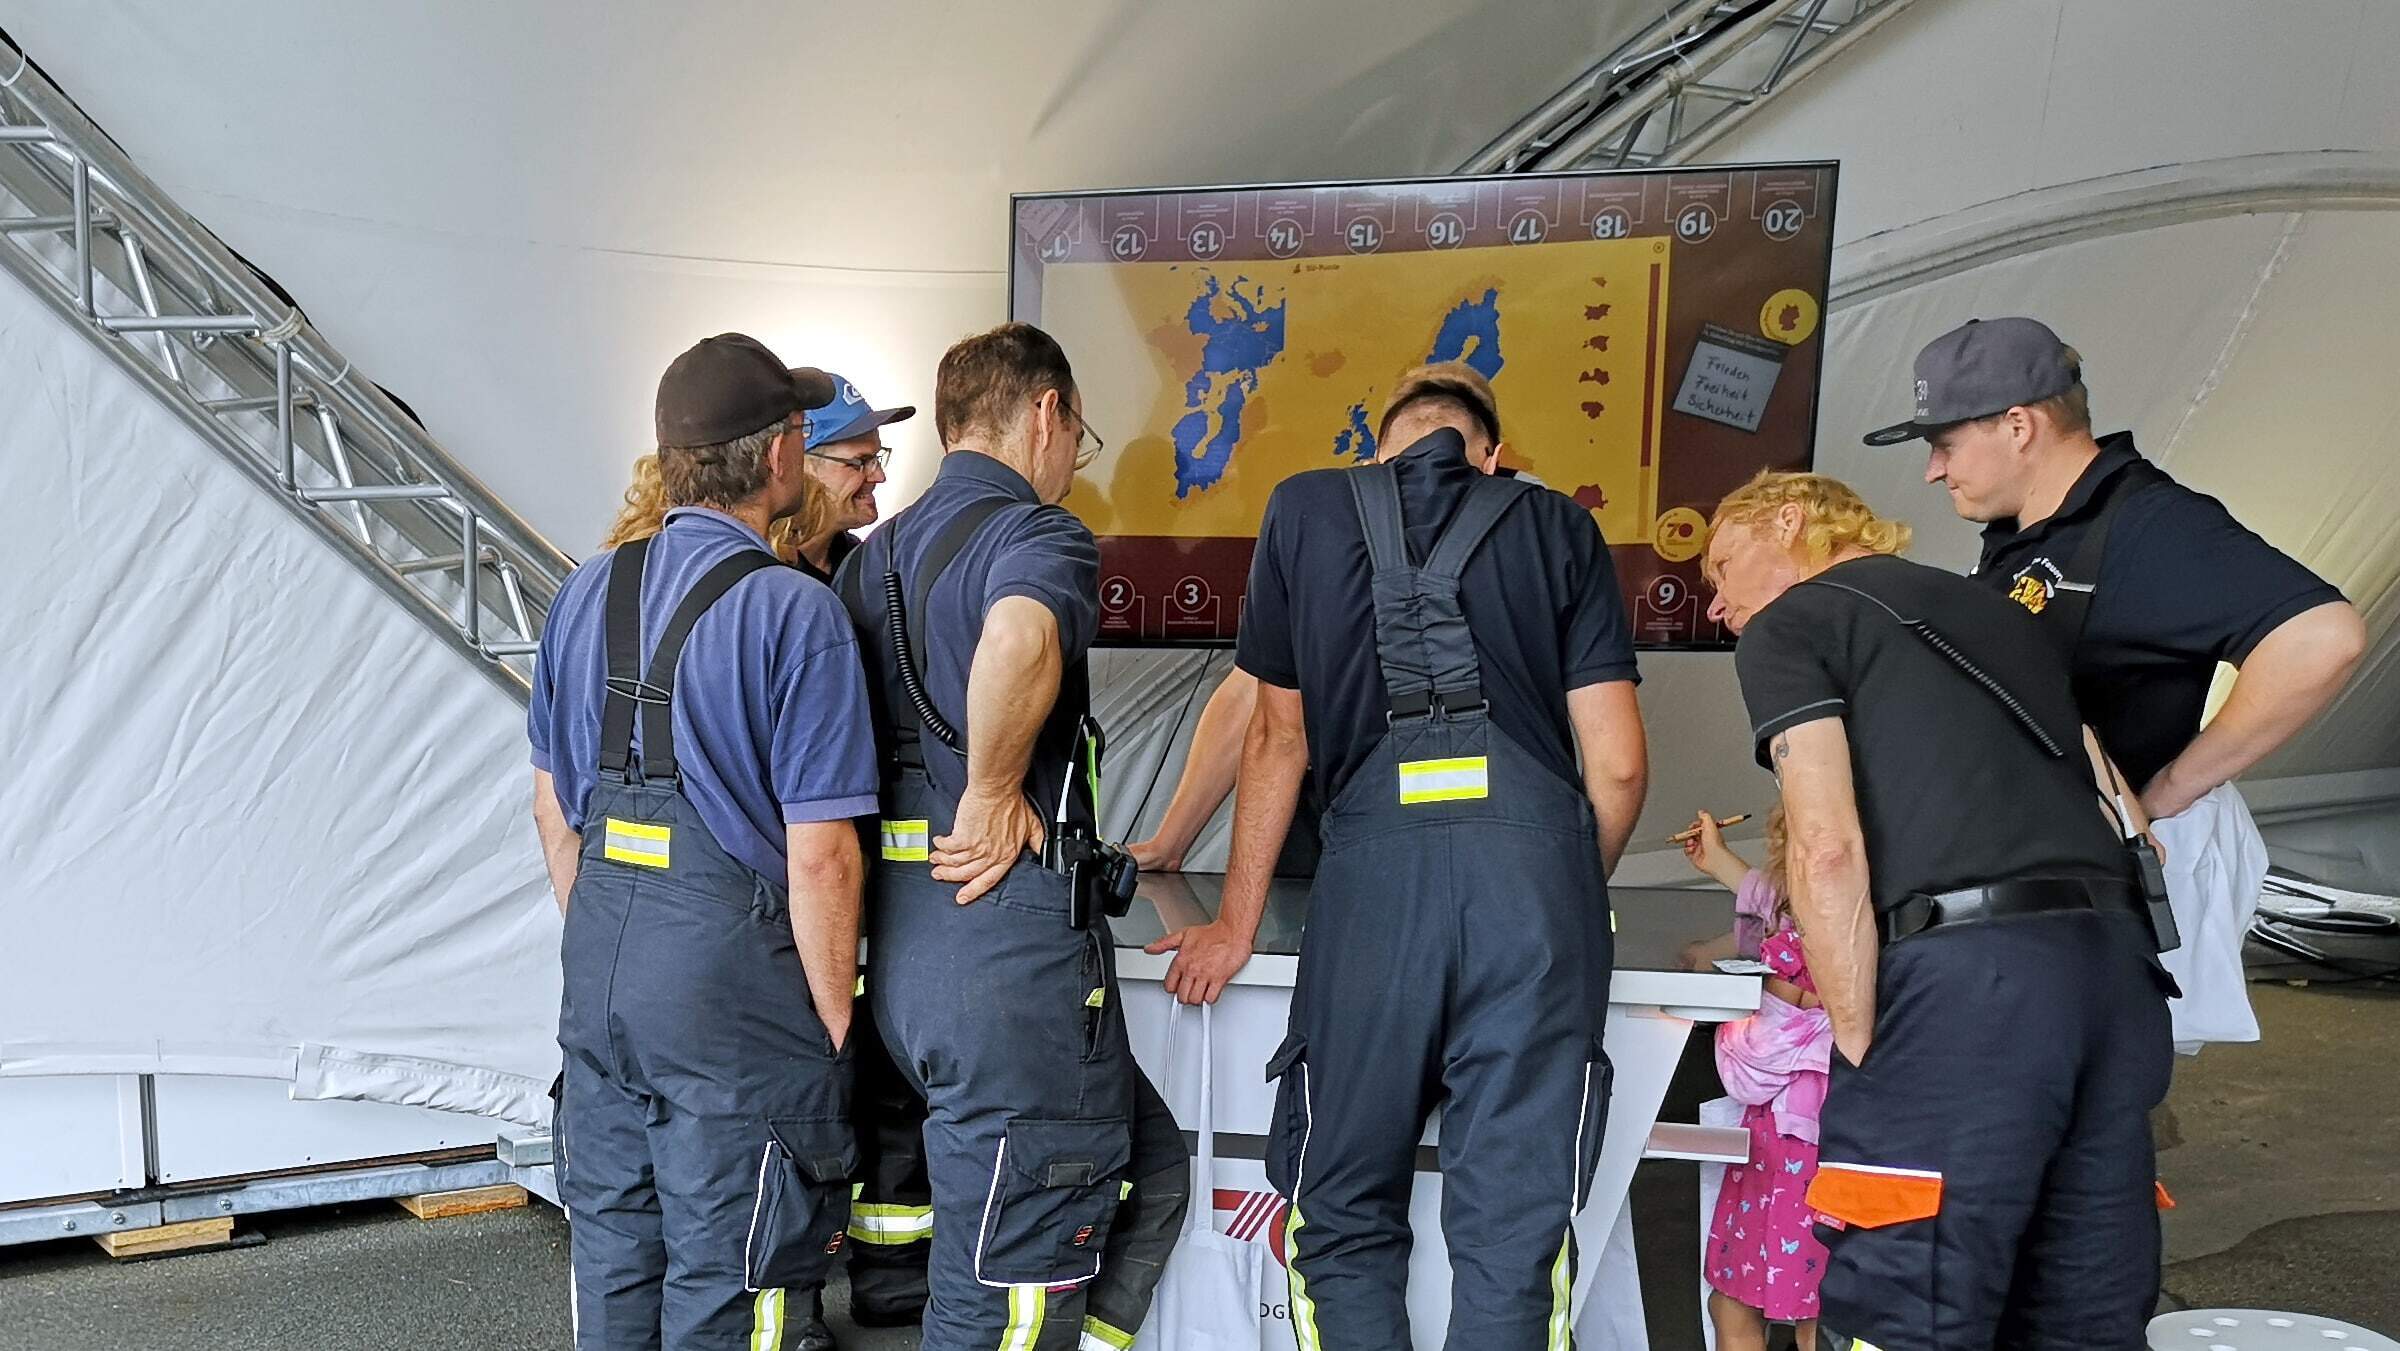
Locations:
{"points": [[2288, 680]]}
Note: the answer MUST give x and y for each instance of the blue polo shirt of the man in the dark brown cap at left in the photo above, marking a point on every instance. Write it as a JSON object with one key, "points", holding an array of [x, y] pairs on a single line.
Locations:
{"points": [[769, 702]]}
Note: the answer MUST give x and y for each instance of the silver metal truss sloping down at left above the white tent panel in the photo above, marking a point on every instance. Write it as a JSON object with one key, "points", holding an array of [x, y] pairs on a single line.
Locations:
{"points": [[215, 342]]}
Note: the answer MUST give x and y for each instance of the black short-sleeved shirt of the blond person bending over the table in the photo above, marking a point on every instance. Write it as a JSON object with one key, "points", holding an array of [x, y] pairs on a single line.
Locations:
{"points": [[1952, 791]]}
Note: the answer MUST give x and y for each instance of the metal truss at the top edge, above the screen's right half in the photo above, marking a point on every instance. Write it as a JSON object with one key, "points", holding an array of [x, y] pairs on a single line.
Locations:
{"points": [[1681, 83]]}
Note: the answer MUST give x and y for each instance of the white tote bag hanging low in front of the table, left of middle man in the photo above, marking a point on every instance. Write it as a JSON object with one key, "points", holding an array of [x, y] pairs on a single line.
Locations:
{"points": [[1208, 1297]]}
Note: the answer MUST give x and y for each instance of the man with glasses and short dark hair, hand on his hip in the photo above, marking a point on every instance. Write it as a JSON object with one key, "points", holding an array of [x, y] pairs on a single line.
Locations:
{"points": [[1060, 1177]]}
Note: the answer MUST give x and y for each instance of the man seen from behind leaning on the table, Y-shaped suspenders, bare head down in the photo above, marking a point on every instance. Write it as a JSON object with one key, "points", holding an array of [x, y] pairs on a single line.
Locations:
{"points": [[1448, 654]]}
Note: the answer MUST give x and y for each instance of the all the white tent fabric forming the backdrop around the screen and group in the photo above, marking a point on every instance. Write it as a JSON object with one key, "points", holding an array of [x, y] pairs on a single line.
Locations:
{"points": [[299, 831]]}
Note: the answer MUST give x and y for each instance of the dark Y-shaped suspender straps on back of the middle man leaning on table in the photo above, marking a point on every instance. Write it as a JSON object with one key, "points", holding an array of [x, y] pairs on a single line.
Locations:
{"points": [[1422, 640]]}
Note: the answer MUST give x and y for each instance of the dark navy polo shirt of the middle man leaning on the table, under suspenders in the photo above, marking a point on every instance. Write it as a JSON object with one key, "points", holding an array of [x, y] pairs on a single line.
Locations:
{"points": [[1540, 599]]}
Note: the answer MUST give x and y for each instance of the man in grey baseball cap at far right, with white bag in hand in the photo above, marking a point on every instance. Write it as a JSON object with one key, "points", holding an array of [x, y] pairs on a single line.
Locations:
{"points": [[2147, 587]]}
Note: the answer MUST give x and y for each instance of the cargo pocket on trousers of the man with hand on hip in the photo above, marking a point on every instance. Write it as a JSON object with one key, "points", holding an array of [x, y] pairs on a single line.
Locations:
{"points": [[1052, 1201]]}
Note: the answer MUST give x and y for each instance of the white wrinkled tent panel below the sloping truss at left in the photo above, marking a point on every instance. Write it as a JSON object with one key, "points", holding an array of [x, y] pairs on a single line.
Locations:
{"points": [[258, 822]]}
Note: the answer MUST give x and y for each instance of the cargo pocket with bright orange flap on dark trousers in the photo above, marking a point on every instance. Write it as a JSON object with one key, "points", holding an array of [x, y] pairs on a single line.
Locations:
{"points": [[1883, 1227]]}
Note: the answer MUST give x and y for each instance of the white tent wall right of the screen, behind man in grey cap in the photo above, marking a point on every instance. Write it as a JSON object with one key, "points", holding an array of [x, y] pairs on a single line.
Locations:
{"points": [[2250, 354]]}
